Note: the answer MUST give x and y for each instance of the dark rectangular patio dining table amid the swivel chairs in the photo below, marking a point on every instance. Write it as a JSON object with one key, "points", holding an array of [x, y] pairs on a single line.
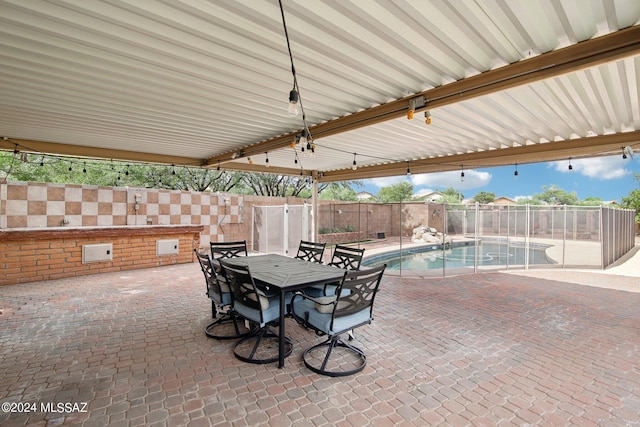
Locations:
{"points": [[286, 274]]}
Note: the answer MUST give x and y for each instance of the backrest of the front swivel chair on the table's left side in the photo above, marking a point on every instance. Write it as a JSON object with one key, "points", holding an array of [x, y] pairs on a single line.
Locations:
{"points": [[244, 290]]}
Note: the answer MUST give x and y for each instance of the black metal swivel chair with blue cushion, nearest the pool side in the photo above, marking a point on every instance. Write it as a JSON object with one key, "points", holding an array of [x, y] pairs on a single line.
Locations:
{"points": [[350, 308]]}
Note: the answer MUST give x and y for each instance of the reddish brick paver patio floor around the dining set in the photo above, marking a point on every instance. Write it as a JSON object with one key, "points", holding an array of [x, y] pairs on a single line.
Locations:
{"points": [[490, 349]]}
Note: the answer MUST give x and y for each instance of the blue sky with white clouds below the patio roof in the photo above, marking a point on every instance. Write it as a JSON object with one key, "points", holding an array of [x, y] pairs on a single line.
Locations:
{"points": [[609, 178]]}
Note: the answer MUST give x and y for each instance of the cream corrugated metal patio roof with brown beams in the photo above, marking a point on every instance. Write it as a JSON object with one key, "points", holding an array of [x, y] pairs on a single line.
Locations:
{"points": [[206, 83]]}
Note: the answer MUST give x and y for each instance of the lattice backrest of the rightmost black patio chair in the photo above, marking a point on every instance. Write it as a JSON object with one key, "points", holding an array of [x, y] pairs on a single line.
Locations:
{"points": [[356, 293]]}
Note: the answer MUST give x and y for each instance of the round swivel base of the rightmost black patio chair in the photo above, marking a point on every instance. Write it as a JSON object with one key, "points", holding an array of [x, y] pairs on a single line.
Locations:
{"points": [[352, 362]]}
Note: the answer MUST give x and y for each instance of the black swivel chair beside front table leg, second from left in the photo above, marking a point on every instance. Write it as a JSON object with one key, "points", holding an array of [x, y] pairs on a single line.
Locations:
{"points": [[261, 306]]}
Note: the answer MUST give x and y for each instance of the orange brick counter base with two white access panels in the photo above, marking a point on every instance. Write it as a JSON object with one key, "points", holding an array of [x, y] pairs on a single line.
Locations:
{"points": [[28, 255]]}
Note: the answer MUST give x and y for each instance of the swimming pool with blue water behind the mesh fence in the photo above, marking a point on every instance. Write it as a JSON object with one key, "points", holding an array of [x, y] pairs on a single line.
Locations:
{"points": [[462, 255]]}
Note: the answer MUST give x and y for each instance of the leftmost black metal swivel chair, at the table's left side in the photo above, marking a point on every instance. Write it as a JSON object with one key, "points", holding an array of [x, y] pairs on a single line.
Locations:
{"points": [[221, 303]]}
